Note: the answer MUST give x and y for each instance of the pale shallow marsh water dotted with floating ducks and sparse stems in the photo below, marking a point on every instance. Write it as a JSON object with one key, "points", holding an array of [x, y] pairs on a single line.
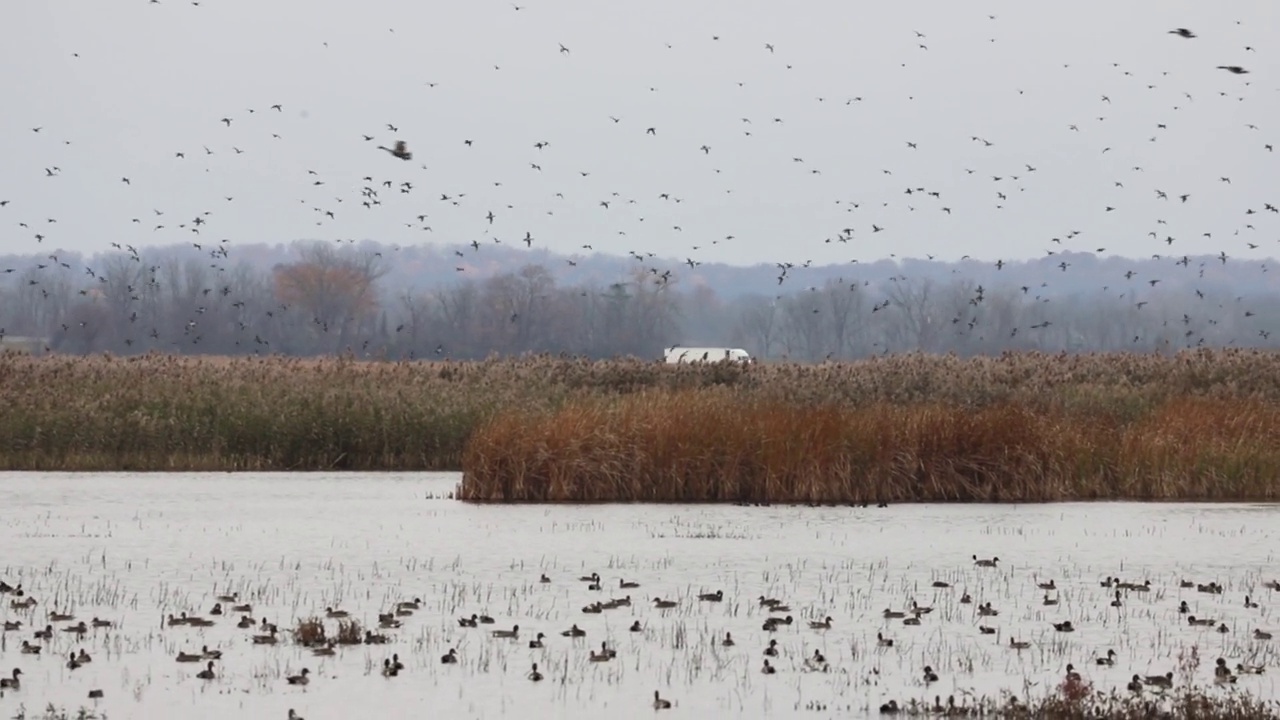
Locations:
{"points": [[135, 549]]}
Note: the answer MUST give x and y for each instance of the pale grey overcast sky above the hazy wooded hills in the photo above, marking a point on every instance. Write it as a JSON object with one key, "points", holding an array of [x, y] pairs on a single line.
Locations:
{"points": [[118, 88]]}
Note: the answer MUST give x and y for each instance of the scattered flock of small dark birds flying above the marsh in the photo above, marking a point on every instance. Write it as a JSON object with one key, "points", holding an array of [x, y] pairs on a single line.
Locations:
{"points": [[376, 188]]}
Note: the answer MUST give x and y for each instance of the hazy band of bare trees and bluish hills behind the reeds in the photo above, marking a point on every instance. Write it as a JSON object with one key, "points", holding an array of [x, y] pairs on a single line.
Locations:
{"points": [[335, 299]]}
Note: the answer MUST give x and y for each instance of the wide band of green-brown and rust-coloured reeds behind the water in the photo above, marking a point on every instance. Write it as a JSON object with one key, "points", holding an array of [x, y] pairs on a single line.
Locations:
{"points": [[1200, 426]]}
